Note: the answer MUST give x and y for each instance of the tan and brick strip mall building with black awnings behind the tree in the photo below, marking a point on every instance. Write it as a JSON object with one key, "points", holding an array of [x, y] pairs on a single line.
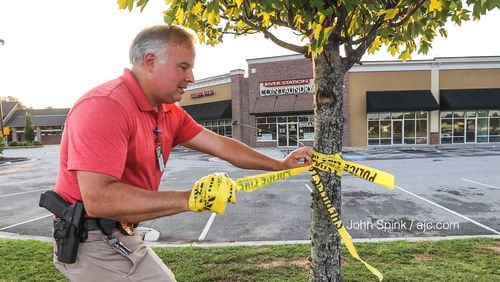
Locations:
{"points": [[438, 101]]}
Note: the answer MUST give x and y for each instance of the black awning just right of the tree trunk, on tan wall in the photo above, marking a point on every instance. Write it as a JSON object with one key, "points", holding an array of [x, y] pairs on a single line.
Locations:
{"points": [[400, 101]]}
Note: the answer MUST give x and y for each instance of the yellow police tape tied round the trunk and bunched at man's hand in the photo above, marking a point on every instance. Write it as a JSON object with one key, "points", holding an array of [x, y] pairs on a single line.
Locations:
{"points": [[206, 198]]}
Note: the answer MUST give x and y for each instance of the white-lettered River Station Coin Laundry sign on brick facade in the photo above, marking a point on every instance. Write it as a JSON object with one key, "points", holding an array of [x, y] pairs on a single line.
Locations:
{"points": [[287, 87]]}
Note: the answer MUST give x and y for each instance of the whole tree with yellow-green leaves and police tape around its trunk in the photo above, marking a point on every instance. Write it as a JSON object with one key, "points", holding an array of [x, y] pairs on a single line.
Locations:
{"points": [[335, 35]]}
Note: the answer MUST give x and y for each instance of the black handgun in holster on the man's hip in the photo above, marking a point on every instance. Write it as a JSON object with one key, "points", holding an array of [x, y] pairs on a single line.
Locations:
{"points": [[68, 226]]}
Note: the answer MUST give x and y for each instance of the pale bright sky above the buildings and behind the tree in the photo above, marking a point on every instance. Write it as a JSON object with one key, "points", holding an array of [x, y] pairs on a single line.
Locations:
{"points": [[56, 50]]}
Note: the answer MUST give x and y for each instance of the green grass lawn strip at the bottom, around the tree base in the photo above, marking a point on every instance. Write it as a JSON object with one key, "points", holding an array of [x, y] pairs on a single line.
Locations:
{"points": [[445, 260]]}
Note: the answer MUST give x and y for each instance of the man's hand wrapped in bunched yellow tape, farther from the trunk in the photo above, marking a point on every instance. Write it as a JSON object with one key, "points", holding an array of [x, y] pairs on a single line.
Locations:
{"points": [[212, 192]]}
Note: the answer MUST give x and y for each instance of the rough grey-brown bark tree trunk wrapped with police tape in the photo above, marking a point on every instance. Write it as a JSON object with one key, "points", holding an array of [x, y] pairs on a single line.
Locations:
{"points": [[328, 123]]}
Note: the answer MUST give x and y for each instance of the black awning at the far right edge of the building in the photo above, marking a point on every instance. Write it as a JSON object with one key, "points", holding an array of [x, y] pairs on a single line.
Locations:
{"points": [[470, 99]]}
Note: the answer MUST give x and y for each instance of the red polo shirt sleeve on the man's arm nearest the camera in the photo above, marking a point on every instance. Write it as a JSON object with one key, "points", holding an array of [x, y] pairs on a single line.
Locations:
{"points": [[97, 137]]}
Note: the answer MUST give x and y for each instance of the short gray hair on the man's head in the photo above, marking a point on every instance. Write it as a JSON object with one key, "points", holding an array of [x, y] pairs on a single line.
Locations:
{"points": [[155, 40]]}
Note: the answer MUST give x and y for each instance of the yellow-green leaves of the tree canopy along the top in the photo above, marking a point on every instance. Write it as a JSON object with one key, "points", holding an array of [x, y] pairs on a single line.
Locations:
{"points": [[404, 26]]}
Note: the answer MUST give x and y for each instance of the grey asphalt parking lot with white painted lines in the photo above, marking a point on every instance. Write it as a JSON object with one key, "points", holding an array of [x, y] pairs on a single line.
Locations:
{"points": [[445, 191]]}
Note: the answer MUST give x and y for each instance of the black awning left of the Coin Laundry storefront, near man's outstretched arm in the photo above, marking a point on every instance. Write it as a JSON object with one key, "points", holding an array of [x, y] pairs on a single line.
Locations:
{"points": [[210, 111]]}
